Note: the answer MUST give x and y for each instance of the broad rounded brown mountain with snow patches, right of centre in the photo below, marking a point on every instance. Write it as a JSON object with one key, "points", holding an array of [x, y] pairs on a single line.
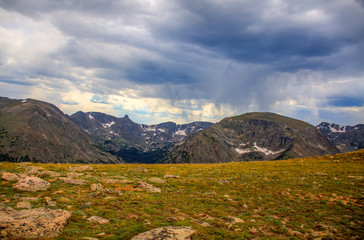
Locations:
{"points": [[252, 136]]}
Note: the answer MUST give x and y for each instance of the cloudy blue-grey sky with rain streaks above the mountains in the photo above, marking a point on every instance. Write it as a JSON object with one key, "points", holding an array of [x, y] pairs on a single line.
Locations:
{"points": [[187, 60]]}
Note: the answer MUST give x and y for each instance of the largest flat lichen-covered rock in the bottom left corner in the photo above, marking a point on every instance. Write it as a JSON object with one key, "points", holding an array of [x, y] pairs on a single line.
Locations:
{"points": [[32, 223]]}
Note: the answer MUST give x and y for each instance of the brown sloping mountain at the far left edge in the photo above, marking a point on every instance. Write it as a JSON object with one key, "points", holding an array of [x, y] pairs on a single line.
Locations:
{"points": [[32, 130]]}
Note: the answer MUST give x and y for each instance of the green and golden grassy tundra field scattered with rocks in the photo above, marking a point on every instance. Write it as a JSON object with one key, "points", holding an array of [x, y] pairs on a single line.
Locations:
{"points": [[309, 198]]}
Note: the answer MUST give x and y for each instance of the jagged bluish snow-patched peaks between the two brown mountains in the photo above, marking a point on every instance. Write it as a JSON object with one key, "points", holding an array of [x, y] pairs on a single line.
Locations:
{"points": [[132, 141]]}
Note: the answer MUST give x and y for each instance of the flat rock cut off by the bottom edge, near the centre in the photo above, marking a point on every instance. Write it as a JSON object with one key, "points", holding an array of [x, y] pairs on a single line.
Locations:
{"points": [[166, 233]]}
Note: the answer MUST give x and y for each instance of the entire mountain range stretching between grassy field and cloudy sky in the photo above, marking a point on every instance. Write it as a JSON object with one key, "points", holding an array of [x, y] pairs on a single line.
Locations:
{"points": [[32, 130]]}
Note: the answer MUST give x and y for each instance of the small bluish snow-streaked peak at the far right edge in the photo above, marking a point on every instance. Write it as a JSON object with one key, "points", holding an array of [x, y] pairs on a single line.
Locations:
{"points": [[345, 138]]}
